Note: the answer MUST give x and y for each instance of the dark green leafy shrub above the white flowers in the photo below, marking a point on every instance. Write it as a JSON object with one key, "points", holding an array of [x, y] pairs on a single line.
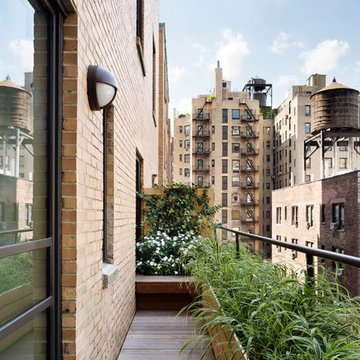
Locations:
{"points": [[179, 211]]}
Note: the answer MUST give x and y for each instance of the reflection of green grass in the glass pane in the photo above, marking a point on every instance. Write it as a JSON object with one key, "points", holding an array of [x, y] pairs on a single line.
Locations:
{"points": [[15, 271]]}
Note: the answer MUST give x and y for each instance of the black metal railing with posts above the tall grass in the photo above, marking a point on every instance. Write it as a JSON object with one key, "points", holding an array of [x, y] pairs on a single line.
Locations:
{"points": [[308, 251]]}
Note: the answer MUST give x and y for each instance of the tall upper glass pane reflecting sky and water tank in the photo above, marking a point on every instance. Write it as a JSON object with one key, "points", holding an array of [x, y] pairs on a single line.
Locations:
{"points": [[23, 117]]}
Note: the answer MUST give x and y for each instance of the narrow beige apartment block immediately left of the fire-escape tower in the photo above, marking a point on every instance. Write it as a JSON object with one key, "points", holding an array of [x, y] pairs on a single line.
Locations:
{"points": [[182, 158]]}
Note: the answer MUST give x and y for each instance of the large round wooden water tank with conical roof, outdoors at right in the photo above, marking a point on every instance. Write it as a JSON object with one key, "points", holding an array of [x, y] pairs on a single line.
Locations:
{"points": [[336, 107]]}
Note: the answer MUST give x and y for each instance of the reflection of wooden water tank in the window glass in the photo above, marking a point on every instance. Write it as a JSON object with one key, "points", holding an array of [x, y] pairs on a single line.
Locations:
{"points": [[14, 106]]}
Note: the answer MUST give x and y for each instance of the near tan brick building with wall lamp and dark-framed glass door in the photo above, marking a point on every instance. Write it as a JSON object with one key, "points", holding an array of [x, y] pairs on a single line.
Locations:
{"points": [[74, 231]]}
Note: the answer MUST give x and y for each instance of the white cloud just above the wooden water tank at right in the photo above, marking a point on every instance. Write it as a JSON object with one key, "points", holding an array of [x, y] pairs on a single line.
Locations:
{"points": [[324, 56]]}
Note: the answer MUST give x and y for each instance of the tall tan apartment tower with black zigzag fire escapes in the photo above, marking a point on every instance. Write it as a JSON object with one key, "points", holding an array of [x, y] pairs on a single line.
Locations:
{"points": [[230, 141]]}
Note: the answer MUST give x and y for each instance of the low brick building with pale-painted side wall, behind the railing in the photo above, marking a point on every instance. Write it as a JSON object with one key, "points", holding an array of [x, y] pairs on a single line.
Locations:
{"points": [[321, 214]]}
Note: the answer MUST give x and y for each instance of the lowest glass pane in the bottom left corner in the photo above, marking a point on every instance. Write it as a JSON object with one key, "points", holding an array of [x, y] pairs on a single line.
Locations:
{"points": [[26, 343]]}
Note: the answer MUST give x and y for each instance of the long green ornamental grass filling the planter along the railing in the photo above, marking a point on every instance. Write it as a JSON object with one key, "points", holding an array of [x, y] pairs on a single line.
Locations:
{"points": [[273, 312]]}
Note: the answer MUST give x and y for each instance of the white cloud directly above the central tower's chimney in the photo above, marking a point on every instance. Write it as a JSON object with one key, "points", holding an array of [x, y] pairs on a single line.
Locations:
{"points": [[231, 52]]}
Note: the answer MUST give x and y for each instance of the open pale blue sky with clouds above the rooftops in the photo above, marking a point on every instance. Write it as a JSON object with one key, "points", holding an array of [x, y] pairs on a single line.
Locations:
{"points": [[281, 41]]}
